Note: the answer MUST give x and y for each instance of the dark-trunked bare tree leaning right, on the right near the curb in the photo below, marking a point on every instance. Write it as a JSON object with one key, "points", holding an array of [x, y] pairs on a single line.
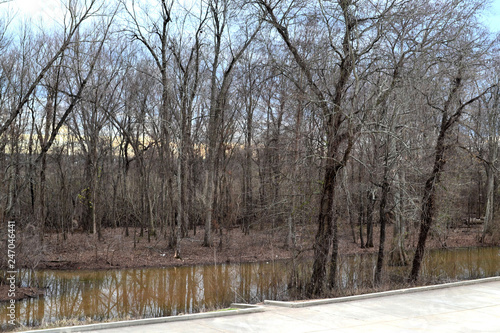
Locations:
{"points": [[460, 52]]}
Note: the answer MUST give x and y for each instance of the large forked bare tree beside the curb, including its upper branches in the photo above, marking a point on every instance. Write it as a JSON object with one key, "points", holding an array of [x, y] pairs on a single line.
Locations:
{"points": [[337, 19]]}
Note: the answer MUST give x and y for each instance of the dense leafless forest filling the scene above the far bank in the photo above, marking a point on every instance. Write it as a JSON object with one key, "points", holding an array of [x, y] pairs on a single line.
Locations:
{"points": [[165, 119]]}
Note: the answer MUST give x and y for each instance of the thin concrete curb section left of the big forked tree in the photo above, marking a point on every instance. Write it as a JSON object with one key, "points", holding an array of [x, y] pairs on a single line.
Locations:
{"points": [[241, 309]]}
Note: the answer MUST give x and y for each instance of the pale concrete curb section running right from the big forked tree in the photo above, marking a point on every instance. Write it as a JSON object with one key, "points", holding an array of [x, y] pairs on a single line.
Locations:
{"points": [[301, 304]]}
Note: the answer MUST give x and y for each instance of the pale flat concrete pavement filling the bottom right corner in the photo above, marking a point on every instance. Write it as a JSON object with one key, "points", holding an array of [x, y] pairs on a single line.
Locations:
{"points": [[469, 307]]}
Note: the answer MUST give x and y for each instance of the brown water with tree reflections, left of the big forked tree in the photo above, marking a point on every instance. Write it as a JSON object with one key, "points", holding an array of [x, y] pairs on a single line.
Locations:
{"points": [[105, 295]]}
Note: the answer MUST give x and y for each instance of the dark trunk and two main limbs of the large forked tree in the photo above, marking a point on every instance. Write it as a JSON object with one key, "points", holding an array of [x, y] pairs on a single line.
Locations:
{"points": [[334, 118]]}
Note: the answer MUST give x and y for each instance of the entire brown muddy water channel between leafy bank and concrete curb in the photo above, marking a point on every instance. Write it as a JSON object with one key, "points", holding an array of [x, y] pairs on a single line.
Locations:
{"points": [[141, 293]]}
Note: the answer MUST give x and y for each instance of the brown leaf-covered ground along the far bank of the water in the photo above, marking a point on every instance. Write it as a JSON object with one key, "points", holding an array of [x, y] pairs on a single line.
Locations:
{"points": [[81, 251]]}
